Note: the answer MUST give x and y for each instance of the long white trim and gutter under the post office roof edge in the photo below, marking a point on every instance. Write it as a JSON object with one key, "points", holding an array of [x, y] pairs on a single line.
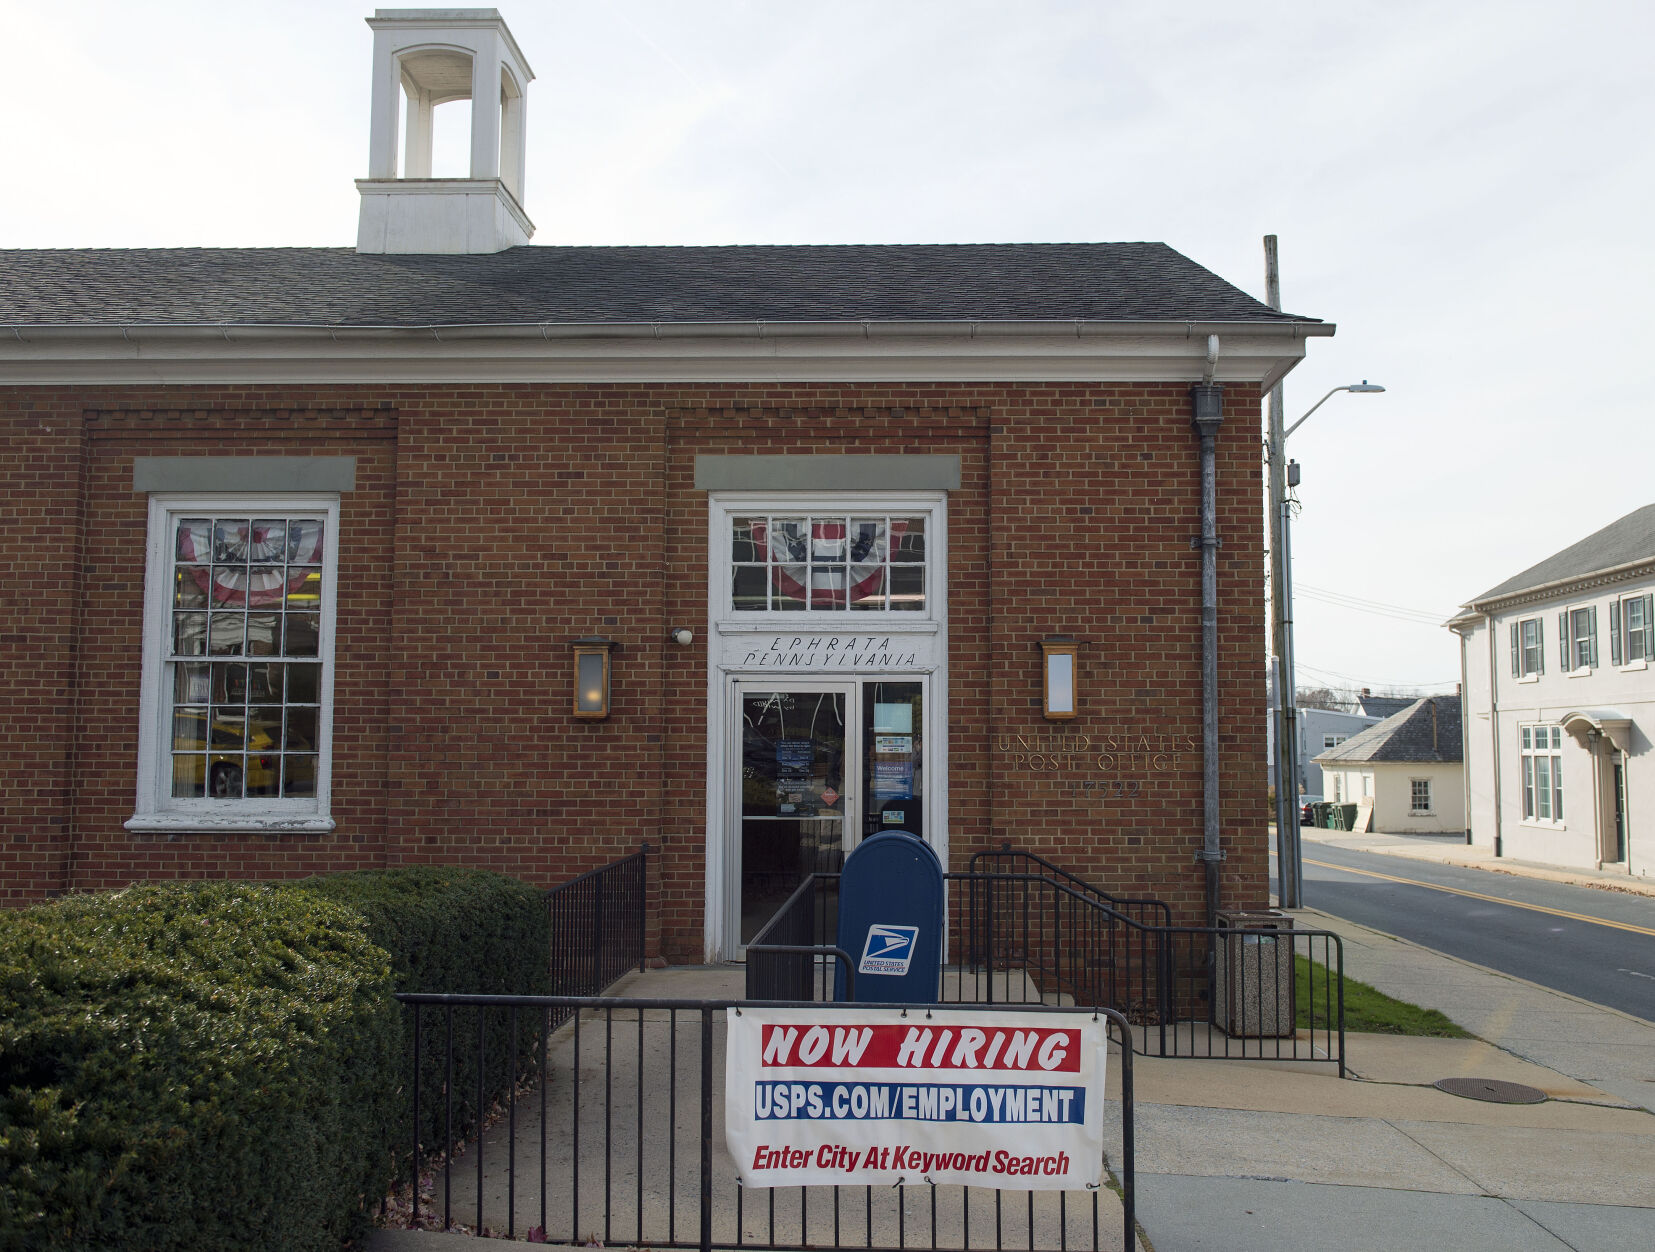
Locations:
{"points": [[757, 352]]}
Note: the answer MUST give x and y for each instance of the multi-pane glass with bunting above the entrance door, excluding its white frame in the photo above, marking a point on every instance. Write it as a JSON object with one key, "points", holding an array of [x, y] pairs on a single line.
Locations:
{"points": [[828, 564]]}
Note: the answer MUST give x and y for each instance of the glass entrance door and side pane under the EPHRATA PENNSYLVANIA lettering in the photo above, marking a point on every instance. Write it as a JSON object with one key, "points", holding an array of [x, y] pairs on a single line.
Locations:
{"points": [[822, 766]]}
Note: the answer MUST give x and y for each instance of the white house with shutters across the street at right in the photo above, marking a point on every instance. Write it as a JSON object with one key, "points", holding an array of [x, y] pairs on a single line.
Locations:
{"points": [[1560, 706]]}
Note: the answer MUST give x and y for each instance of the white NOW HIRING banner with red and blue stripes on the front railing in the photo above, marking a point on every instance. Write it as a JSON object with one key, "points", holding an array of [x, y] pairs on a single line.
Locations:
{"points": [[848, 1097]]}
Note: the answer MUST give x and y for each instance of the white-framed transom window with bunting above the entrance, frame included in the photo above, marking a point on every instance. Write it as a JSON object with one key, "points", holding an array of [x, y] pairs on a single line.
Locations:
{"points": [[855, 561]]}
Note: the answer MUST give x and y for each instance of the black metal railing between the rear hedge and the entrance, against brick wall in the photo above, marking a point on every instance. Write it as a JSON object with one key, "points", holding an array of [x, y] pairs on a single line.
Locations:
{"points": [[598, 927]]}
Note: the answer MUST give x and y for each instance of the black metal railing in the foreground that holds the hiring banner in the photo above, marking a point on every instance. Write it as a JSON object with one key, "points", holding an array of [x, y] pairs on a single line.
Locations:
{"points": [[623, 1145]]}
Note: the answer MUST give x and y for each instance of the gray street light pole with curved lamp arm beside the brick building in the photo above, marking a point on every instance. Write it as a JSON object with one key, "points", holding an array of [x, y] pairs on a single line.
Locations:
{"points": [[1290, 865]]}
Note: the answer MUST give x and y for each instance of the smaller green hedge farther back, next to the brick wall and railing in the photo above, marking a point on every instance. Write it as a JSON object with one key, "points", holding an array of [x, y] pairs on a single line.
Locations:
{"points": [[456, 932]]}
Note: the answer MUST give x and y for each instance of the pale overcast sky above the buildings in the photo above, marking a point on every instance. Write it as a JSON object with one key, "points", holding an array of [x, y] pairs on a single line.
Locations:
{"points": [[1464, 188]]}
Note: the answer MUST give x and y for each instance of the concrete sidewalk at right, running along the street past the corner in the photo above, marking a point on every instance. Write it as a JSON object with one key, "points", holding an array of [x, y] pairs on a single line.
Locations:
{"points": [[1260, 1157]]}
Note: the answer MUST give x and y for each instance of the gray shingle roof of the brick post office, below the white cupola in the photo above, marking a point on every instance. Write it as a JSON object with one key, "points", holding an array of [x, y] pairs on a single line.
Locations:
{"points": [[582, 286]]}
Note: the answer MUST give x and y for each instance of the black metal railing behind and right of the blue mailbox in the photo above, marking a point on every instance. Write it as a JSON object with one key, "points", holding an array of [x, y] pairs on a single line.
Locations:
{"points": [[1245, 991]]}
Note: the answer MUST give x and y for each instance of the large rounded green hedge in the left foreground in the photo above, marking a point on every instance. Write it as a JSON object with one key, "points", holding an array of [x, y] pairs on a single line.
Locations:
{"points": [[193, 1067]]}
